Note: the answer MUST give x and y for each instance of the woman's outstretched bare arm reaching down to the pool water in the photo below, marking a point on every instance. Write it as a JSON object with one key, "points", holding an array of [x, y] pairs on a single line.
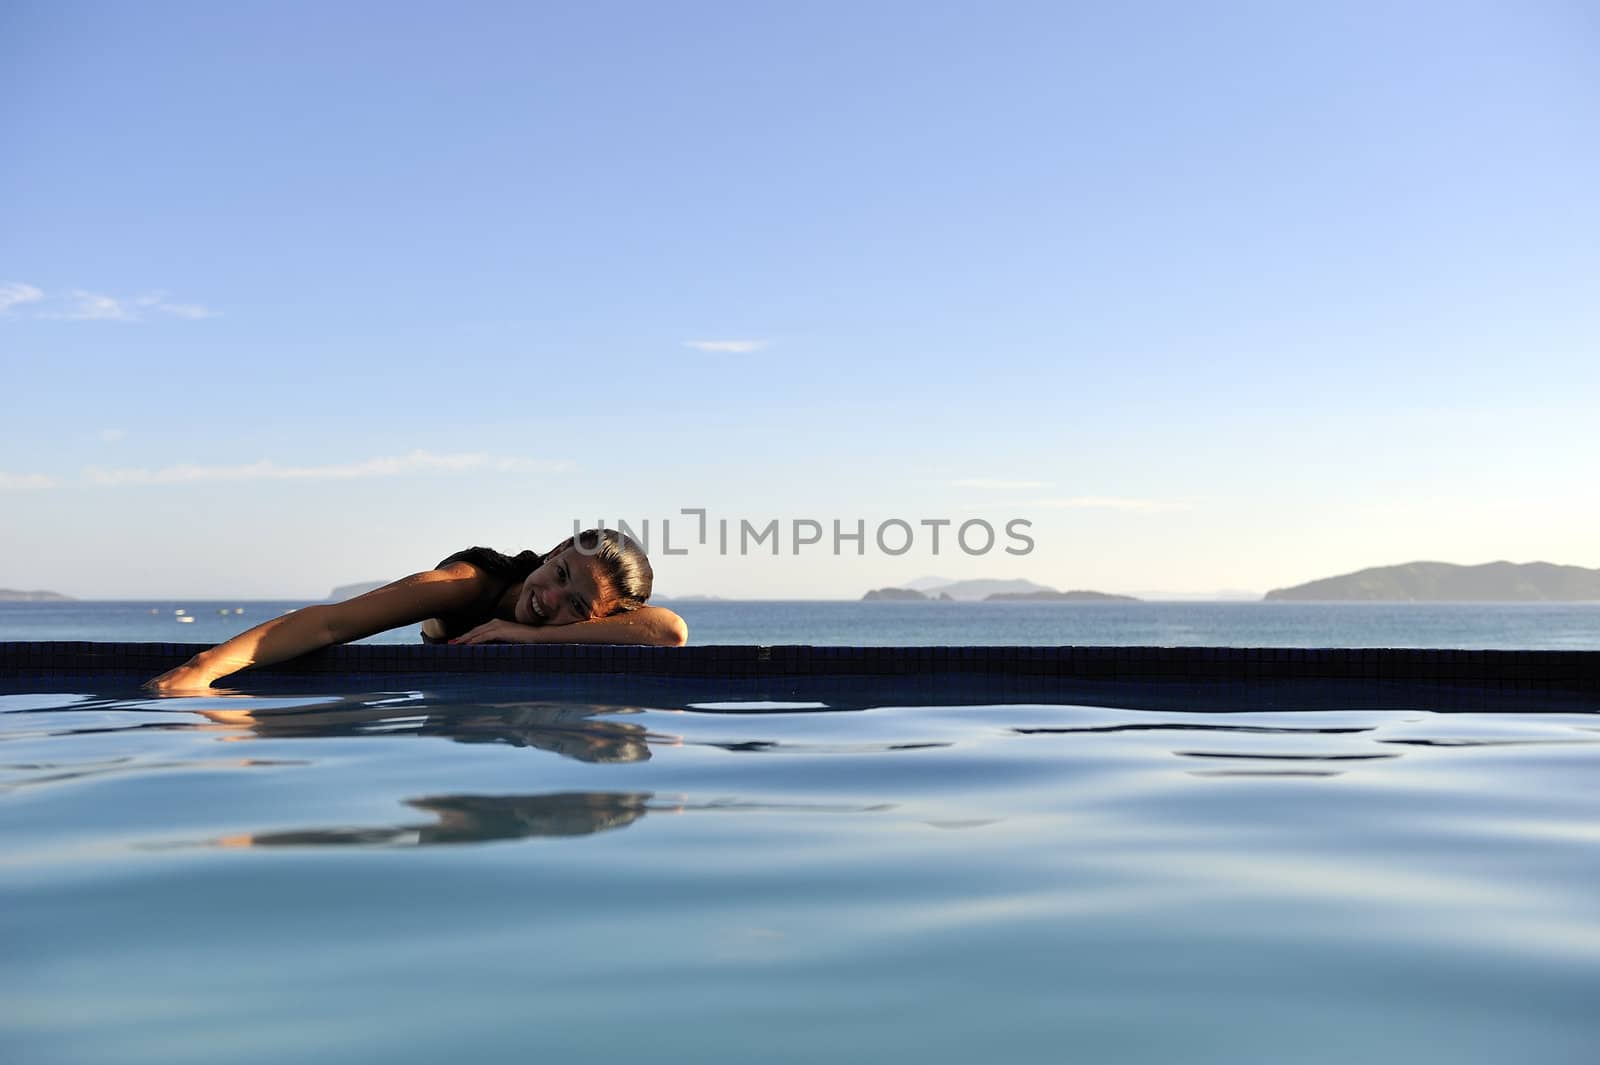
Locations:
{"points": [[308, 629]]}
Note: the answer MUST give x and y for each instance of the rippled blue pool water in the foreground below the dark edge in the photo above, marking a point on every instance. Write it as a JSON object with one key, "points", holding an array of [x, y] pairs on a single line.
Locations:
{"points": [[466, 876]]}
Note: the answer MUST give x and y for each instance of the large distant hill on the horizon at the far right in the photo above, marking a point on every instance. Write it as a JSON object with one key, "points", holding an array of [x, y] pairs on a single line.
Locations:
{"points": [[1447, 583]]}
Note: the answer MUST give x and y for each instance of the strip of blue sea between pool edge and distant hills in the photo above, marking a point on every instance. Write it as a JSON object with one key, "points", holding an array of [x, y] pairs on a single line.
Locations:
{"points": [[1506, 626]]}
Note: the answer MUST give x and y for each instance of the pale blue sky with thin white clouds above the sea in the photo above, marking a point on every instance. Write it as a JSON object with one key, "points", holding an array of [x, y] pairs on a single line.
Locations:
{"points": [[1217, 297]]}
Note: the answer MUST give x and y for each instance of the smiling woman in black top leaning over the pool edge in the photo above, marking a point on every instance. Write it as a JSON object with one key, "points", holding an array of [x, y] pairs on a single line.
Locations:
{"points": [[591, 589]]}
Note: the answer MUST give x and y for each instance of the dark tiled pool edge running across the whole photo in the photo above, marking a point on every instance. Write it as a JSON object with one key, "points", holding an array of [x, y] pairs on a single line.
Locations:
{"points": [[1202, 679]]}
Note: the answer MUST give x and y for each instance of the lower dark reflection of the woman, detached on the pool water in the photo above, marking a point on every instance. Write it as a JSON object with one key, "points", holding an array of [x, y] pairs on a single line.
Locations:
{"points": [[487, 818]]}
